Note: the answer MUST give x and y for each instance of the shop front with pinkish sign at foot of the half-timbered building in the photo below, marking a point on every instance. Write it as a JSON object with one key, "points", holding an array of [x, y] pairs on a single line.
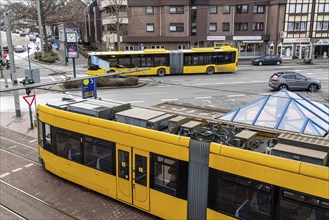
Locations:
{"points": [[300, 48]]}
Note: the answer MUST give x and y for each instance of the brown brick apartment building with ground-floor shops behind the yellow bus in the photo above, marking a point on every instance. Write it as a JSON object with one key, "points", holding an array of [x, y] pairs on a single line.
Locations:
{"points": [[251, 26]]}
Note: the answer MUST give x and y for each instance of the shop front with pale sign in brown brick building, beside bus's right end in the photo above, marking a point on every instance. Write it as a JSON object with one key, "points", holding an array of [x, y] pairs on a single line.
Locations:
{"points": [[249, 46]]}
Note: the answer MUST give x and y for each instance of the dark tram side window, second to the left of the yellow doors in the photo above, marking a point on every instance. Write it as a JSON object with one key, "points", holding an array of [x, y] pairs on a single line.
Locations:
{"points": [[68, 144]]}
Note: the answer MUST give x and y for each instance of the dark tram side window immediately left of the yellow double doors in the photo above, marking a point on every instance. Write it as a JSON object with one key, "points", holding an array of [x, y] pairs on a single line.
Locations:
{"points": [[99, 154]]}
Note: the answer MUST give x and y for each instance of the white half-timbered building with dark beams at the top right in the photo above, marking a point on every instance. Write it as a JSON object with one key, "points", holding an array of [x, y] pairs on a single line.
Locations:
{"points": [[306, 33]]}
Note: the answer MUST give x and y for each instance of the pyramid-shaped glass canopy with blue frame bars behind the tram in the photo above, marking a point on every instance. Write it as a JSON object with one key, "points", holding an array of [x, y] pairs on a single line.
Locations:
{"points": [[284, 110]]}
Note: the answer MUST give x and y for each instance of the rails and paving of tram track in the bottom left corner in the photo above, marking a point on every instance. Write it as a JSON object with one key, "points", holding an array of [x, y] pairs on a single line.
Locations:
{"points": [[44, 210]]}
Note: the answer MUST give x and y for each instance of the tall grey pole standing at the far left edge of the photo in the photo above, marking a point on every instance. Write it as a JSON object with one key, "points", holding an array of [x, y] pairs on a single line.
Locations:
{"points": [[13, 74]]}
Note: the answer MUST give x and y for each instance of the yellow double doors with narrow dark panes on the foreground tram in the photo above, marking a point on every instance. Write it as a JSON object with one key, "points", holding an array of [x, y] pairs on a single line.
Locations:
{"points": [[133, 176]]}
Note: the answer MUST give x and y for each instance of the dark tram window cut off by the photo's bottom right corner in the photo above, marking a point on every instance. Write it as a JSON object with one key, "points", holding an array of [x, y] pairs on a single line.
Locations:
{"points": [[294, 205]]}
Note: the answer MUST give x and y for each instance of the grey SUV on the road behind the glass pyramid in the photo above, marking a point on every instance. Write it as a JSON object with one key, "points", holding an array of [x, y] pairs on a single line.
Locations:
{"points": [[293, 81]]}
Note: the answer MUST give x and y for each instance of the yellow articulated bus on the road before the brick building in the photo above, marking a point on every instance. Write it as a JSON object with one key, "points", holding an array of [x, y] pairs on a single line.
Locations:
{"points": [[163, 62]]}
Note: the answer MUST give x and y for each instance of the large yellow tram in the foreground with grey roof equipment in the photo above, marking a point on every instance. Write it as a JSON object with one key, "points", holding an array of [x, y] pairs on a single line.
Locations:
{"points": [[158, 162]]}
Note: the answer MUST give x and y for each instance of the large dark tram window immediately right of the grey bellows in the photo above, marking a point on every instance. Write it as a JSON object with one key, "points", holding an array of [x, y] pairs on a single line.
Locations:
{"points": [[237, 196]]}
